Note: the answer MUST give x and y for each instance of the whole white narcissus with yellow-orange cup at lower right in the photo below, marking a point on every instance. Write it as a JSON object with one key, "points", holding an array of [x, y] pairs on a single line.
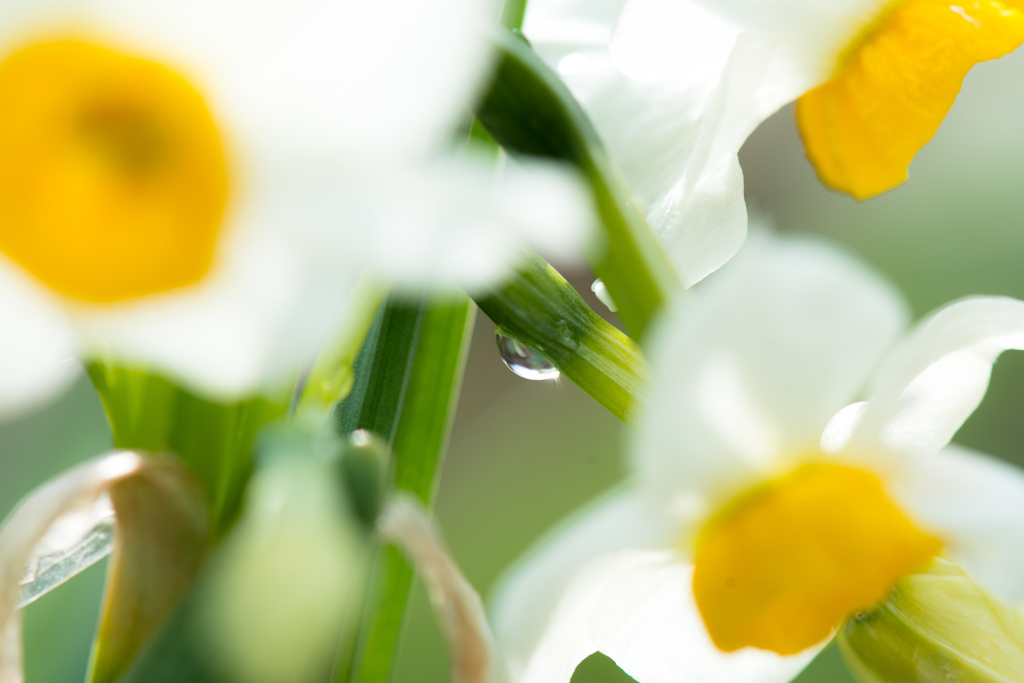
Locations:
{"points": [[762, 514]]}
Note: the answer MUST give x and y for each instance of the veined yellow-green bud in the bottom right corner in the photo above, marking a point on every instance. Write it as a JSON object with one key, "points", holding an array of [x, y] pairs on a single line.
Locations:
{"points": [[936, 627]]}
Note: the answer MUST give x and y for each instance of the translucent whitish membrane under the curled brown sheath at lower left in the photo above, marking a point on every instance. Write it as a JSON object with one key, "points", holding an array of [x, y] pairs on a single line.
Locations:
{"points": [[74, 544]]}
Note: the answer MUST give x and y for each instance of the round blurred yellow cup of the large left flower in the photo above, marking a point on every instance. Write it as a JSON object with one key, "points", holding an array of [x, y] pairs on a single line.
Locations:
{"points": [[113, 179]]}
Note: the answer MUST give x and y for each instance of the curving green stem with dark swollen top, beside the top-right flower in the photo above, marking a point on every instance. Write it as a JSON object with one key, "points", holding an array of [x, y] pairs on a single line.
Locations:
{"points": [[530, 111]]}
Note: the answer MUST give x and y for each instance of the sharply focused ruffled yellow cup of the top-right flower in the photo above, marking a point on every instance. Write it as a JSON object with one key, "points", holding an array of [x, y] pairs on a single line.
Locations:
{"points": [[895, 86]]}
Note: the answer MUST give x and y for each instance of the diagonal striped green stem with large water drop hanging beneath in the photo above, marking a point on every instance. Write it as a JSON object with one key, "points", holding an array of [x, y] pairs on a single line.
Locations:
{"points": [[542, 311]]}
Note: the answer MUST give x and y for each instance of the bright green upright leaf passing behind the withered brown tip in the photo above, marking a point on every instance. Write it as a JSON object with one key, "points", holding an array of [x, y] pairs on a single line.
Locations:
{"points": [[418, 453]]}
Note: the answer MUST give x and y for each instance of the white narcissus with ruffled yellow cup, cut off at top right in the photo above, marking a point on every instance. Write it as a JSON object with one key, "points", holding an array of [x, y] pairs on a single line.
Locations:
{"points": [[676, 87]]}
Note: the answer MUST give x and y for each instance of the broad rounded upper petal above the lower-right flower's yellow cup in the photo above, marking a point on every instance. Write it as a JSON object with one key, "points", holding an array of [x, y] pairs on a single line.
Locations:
{"points": [[749, 371]]}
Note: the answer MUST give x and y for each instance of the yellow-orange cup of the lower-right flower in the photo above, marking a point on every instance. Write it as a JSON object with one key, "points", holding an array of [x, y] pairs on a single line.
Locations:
{"points": [[783, 566]]}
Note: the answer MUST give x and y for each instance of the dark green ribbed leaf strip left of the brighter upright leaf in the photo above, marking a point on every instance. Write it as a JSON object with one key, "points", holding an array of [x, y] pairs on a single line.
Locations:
{"points": [[381, 371]]}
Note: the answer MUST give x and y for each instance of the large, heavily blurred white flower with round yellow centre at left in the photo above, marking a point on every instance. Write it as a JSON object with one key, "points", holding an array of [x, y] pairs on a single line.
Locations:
{"points": [[196, 186]]}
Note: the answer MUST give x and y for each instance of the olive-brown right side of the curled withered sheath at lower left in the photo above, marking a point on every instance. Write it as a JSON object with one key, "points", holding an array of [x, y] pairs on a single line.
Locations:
{"points": [[159, 548]]}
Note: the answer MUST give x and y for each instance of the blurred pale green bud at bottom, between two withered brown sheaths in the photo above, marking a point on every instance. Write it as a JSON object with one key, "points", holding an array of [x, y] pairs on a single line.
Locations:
{"points": [[288, 581]]}
